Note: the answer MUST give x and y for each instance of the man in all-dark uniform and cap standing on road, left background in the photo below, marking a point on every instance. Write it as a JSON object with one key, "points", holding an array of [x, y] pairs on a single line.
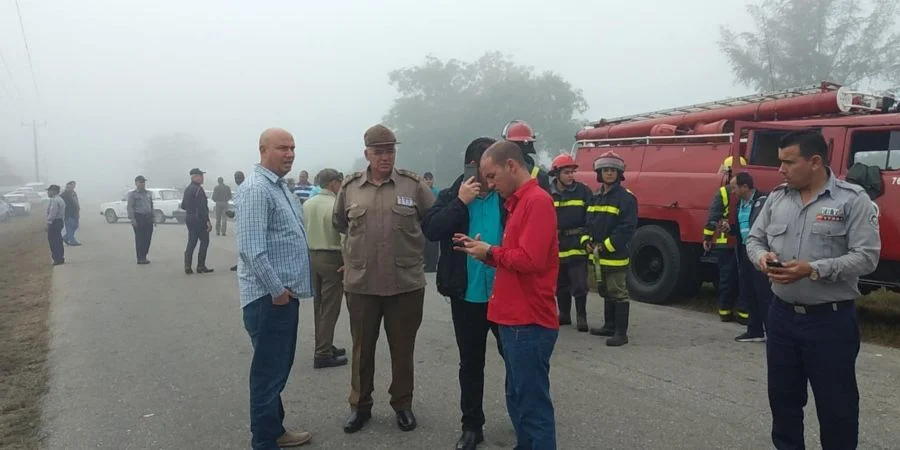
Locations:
{"points": [[197, 219]]}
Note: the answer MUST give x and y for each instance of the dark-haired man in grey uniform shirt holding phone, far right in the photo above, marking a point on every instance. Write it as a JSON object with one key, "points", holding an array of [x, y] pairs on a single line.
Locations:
{"points": [[815, 236]]}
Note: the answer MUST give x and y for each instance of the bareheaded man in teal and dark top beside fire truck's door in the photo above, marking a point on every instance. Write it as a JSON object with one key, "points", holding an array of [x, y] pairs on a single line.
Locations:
{"points": [[755, 290]]}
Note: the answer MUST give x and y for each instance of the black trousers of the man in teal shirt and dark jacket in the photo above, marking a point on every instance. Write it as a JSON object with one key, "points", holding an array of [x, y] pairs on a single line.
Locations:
{"points": [[471, 327]]}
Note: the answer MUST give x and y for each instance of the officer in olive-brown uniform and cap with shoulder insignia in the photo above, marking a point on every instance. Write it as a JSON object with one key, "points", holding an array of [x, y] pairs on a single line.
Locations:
{"points": [[379, 210]]}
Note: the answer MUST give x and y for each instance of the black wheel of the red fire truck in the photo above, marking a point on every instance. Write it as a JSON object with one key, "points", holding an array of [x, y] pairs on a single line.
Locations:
{"points": [[655, 265]]}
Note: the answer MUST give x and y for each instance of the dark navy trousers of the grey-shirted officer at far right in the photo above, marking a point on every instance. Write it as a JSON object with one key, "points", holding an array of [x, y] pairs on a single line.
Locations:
{"points": [[821, 348]]}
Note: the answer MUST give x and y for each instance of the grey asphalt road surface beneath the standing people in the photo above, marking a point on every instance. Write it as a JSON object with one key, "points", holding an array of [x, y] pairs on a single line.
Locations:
{"points": [[145, 357]]}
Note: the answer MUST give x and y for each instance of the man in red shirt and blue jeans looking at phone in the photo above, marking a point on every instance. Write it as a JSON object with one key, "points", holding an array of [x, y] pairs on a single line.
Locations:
{"points": [[523, 301]]}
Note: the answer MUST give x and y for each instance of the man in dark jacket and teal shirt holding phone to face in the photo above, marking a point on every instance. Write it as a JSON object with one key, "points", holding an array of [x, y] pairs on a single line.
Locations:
{"points": [[468, 207]]}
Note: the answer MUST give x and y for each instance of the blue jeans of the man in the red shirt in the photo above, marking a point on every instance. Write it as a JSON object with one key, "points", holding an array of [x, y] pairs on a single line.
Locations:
{"points": [[526, 352]]}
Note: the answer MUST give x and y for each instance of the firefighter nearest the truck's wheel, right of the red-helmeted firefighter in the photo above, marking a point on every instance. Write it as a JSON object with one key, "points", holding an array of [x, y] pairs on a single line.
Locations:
{"points": [[611, 222]]}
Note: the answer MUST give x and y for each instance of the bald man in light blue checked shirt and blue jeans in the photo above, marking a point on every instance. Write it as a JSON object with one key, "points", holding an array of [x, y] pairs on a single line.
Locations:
{"points": [[273, 273]]}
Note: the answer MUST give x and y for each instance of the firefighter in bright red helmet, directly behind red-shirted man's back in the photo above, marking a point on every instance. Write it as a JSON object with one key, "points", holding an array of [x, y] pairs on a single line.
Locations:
{"points": [[571, 200]]}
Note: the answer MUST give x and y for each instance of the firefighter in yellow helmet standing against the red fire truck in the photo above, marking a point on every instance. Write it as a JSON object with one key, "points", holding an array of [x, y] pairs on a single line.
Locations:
{"points": [[715, 239]]}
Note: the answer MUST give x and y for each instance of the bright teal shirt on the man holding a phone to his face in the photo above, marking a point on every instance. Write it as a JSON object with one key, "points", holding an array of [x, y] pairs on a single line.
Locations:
{"points": [[484, 219]]}
